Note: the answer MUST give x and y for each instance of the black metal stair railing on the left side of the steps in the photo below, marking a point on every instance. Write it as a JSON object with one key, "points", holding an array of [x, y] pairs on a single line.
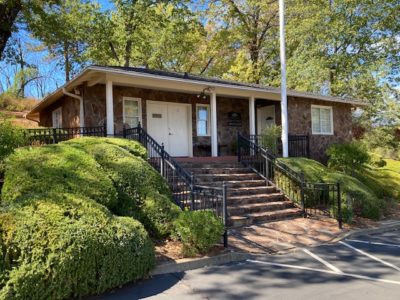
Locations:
{"points": [[186, 193]]}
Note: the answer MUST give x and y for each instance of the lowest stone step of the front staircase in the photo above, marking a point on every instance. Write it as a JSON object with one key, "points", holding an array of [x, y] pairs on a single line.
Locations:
{"points": [[245, 209]]}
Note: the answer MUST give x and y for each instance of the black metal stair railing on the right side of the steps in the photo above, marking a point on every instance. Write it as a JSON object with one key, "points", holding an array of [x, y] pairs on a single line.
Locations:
{"points": [[313, 198]]}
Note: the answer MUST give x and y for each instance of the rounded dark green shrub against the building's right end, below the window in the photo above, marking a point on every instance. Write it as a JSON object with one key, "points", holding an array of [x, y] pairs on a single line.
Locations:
{"points": [[347, 157]]}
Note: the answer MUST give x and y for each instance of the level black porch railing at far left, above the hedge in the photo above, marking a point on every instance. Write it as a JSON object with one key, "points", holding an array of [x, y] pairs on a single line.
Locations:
{"points": [[56, 135]]}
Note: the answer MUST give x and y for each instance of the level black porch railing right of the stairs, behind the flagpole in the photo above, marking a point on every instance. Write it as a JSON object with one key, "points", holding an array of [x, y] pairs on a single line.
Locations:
{"points": [[299, 145]]}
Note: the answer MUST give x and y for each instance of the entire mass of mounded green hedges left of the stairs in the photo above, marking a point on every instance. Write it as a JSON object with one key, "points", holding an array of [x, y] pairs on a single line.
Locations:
{"points": [[58, 235]]}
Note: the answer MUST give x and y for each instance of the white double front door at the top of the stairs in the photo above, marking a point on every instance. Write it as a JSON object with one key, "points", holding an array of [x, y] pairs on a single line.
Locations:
{"points": [[169, 123]]}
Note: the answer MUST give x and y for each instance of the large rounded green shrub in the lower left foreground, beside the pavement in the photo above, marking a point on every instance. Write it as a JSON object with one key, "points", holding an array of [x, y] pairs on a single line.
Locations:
{"points": [[70, 247]]}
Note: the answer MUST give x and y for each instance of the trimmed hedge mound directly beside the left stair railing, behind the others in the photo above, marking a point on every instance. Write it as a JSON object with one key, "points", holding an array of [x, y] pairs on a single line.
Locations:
{"points": [[142, 192]]}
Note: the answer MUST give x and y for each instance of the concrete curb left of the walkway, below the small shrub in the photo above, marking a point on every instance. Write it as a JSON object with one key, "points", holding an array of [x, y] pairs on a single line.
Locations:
{"points": [[187, 264]]}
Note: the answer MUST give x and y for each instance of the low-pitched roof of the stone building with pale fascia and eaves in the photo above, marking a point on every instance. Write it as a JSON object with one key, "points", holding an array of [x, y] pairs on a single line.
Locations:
{"points": [[180, 77]]}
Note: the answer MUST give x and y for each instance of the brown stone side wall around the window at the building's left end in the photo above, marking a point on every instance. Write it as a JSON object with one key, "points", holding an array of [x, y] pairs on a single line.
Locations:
{"points": [[70, 113]]}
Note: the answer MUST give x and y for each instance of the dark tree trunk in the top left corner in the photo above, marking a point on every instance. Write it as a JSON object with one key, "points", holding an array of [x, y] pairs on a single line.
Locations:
{"points": [[9, 13]]}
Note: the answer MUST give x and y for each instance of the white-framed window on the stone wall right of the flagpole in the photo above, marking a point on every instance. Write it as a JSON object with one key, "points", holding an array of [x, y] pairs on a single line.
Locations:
{"points": [[322, 120]]}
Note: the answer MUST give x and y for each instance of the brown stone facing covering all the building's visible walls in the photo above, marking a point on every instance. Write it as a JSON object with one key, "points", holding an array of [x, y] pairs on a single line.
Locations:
{"points": [[299, 110]]}
